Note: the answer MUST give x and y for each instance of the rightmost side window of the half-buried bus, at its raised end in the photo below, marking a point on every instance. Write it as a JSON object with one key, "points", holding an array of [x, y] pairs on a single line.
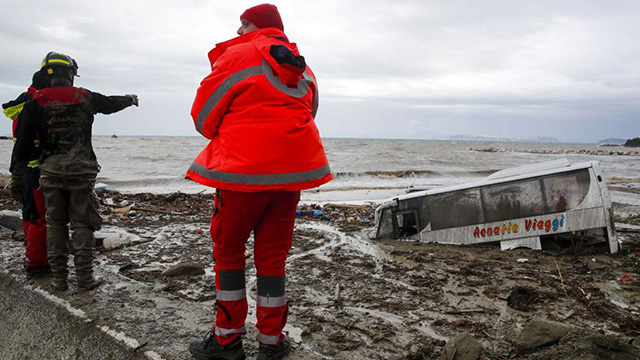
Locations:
{"points": [[566, 191]]}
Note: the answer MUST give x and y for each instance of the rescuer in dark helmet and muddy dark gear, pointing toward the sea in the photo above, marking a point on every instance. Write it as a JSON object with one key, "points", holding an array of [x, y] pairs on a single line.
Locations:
{"points": [[62, 117]]}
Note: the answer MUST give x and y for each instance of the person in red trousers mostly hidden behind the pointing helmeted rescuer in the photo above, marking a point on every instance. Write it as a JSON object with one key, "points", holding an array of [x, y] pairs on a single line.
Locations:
{"points": [[31, 198]]}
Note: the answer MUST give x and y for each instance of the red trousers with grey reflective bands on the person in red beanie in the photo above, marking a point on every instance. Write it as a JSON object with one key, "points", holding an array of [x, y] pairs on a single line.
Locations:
{"points": [[270, 215]]}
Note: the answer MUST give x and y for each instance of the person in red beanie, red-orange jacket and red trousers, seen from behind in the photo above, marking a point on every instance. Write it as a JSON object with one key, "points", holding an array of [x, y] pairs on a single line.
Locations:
{"points": [[257, 106]]}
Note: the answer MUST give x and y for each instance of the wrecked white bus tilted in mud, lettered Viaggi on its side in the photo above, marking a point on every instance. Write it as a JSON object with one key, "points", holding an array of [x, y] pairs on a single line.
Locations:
{"points": [[514, 206]]}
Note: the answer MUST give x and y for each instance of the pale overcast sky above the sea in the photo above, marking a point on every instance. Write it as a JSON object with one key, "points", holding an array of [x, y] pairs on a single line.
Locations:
{"points": [[403, 69]]}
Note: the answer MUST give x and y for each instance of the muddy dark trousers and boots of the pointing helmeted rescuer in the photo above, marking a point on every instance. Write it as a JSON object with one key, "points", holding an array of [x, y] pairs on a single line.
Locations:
{"points": [[70, 201]]}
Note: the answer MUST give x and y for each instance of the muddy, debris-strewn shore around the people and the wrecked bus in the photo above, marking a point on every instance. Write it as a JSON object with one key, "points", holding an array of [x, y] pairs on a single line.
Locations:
{"points": [[352, 297]]}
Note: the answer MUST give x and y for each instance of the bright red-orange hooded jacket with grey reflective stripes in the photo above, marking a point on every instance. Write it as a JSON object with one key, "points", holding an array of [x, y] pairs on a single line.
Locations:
{"points": [[257, 106]]}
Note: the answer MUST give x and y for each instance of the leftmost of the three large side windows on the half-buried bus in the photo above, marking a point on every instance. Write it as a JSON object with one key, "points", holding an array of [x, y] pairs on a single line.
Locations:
{"points": [[454, 209]]}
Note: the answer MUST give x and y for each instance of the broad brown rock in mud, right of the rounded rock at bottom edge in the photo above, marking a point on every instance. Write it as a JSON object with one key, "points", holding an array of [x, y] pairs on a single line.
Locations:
{"points": [[537, 334]]}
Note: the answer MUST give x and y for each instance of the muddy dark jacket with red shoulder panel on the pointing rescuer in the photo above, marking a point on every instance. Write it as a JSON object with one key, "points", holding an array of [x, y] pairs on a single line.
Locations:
{"points": [[62, 118]]}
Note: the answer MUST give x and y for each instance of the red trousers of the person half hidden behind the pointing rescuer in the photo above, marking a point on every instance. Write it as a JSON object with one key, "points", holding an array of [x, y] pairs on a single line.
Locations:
{"points": [[35, 234]]}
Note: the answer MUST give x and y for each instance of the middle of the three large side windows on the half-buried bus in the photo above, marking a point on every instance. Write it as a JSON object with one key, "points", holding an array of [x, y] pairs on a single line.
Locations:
{"points": [[512, 200]]}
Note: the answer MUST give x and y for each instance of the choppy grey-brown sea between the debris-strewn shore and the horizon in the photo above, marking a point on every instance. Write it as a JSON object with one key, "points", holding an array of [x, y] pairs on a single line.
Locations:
{"points": [[364, 169]]}
